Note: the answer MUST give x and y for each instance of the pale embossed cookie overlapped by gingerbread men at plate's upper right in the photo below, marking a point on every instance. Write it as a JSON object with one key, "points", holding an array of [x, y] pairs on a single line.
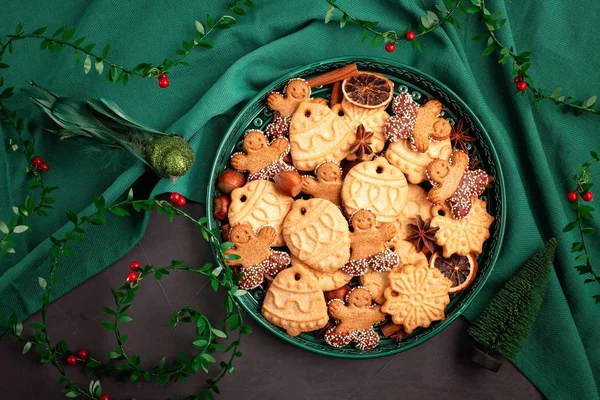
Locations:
{"points": [[413, 163]]}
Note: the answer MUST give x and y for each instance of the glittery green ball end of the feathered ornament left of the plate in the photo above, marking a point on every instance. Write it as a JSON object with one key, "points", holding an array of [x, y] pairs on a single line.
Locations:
{"points": [[169, 155]]}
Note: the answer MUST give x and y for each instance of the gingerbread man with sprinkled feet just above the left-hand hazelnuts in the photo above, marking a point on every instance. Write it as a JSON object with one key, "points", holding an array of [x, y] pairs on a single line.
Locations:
{"points": [[262, 160]]}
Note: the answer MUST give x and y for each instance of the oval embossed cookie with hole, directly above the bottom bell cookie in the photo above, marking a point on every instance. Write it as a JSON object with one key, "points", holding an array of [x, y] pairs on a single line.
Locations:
{"points": [[317, 234]]}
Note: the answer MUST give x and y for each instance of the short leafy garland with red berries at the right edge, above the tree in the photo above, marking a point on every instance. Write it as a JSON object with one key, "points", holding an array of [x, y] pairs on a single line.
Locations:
{"points": [[583, 184]]}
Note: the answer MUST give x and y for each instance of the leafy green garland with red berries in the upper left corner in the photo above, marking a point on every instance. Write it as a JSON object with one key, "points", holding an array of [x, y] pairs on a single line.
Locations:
{"points": [[63, 37]]}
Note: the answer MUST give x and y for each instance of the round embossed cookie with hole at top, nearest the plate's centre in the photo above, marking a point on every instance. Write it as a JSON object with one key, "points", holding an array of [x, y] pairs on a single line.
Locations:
{"points": [[378, 186]]}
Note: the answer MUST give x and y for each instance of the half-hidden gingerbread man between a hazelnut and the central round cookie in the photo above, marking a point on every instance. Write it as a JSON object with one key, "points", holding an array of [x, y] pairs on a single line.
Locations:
{"points": [[328, 183]]}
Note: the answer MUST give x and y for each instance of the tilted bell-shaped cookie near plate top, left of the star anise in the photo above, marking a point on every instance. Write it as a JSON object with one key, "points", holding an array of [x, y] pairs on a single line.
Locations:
{"points": [[318, 134]]}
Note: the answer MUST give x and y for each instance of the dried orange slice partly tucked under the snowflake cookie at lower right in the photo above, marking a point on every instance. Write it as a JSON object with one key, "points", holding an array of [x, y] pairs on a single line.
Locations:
{"points": [[461, 270]]}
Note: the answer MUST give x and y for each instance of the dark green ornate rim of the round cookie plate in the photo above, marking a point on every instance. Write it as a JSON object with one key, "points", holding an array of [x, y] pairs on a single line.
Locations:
{"points": [[499, 179]]}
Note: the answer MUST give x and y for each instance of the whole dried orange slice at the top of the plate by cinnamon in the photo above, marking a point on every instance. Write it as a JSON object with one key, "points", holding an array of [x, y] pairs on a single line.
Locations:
{"points": [[368, 90]]}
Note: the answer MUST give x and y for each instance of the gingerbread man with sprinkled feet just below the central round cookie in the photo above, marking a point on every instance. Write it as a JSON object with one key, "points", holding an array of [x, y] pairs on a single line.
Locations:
{"points": [[367, 245]]}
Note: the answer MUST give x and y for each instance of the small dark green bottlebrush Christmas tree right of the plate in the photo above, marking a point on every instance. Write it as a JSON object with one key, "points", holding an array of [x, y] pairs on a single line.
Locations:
{"points": [[504, 325]]}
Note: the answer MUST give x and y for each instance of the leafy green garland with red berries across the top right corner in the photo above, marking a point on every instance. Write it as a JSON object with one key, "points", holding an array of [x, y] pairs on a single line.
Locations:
{"points": [[493, 21]]}
